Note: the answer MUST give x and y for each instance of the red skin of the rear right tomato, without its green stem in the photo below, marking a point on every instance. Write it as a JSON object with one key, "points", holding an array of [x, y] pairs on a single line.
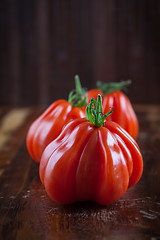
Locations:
{"points": [[123, 113]]}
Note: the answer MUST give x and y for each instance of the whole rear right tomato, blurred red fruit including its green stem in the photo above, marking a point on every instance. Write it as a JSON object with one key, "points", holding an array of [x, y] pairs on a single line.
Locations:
{"points": [[123, 113]]}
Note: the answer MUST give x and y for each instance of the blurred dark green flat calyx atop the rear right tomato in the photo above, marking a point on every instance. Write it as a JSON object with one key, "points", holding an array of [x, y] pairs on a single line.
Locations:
{"points": [[107, 88]]}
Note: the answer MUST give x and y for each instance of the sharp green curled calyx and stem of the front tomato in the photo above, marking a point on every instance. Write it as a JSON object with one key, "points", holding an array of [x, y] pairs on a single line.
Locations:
{"points": [[94, 112]]}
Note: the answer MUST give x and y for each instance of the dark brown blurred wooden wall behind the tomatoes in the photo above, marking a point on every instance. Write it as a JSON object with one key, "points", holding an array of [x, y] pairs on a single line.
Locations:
{"points": [[43, 44]]}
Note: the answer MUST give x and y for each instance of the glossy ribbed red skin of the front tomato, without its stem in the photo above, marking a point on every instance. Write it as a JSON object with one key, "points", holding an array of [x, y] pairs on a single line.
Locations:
{"points": [[88, 163]]}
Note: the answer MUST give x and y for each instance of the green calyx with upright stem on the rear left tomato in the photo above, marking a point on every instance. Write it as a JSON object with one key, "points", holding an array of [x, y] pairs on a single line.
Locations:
{"points": [[78, 96]]}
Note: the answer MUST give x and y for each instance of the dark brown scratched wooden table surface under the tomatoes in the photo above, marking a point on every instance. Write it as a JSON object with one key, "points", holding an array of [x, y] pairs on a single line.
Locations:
{"points": [[26, 212]]}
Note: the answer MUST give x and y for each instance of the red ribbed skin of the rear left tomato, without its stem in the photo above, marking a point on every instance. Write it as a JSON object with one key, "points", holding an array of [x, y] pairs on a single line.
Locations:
{"points": [[49, 125]]}
